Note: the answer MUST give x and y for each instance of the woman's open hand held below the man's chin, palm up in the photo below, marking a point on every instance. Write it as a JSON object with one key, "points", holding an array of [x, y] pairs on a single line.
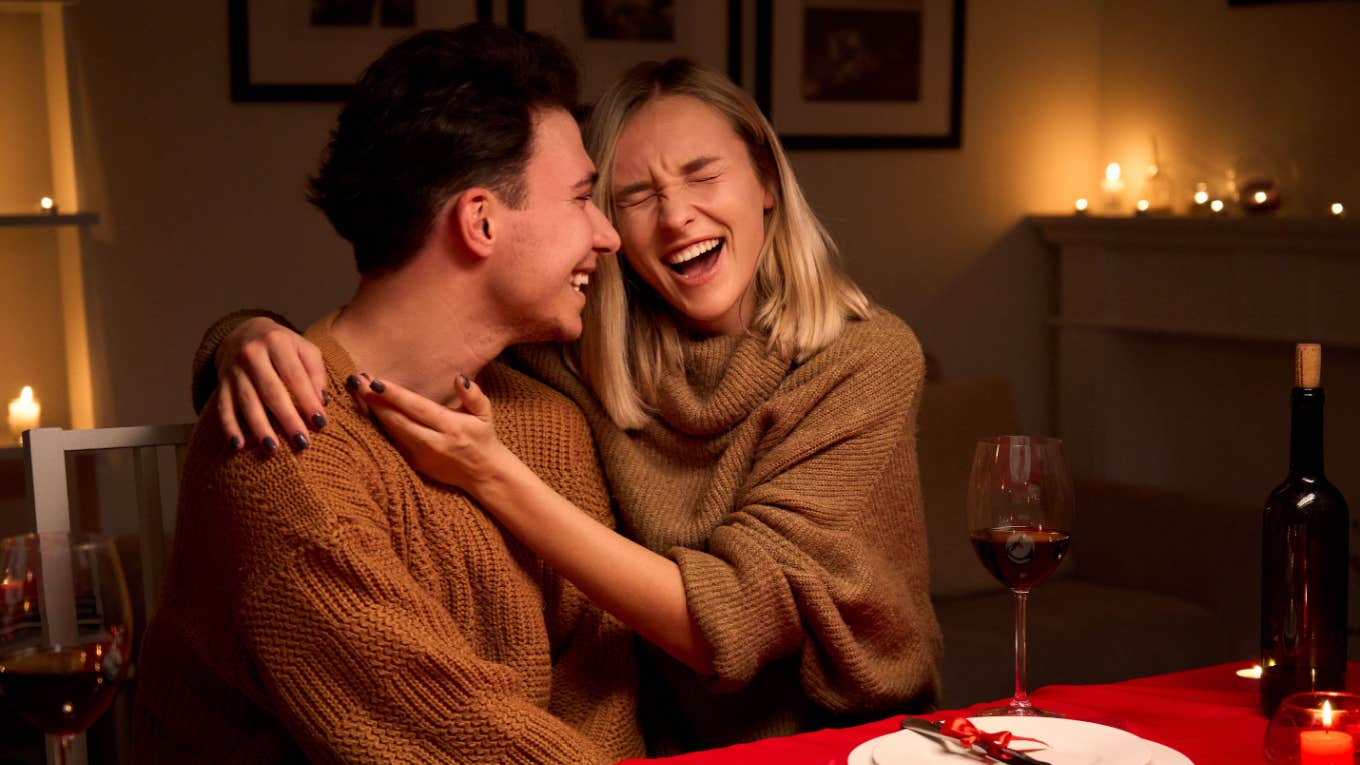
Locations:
{"points": [[452, 446]]}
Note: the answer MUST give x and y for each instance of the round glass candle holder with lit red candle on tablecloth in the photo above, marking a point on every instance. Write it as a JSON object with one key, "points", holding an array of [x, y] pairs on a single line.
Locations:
{"points": [[1319, 728]]}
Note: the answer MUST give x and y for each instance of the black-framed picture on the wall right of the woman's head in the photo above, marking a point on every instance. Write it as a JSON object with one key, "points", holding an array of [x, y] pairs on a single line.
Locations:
{"points": [[862, 74]]}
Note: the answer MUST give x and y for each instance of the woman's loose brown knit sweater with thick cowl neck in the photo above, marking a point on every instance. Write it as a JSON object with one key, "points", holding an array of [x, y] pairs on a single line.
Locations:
{"points": [[791, 500]]}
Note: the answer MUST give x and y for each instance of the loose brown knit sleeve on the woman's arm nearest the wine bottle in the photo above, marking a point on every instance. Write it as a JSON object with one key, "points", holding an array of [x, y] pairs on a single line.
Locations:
{"points": [[825, 553]]}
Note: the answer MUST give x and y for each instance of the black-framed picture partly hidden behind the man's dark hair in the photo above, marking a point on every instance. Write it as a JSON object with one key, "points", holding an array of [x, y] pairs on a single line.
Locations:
{"points": [[316, 50]]}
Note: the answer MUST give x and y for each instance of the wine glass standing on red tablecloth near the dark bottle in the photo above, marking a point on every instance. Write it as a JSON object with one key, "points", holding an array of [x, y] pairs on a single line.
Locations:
{"points": [[1021, 522]]}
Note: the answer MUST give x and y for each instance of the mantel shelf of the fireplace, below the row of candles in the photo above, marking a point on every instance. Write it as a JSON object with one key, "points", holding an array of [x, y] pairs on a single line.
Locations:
{"points": [[1321, 235]]}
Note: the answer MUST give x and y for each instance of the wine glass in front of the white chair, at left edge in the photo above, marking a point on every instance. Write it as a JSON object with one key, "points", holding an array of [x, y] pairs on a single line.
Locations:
{"points": [[66, 631]]}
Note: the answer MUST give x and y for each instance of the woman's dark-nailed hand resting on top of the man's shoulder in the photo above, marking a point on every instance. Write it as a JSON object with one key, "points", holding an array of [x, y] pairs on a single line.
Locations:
{"points": [[267, 370]]}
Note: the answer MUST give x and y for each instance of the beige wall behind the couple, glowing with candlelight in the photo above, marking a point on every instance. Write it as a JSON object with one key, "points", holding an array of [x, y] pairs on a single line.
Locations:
{"points": [[202, 204]]}
